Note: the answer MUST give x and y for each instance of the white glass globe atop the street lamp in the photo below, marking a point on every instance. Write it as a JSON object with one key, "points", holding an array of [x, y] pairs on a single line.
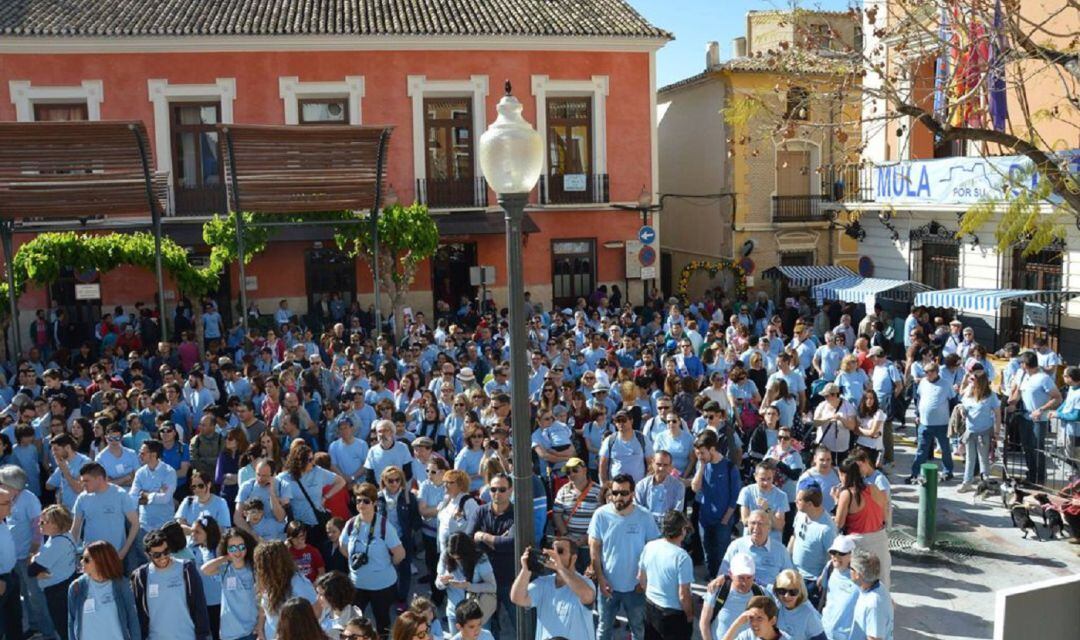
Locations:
{"points": [[511, 152]]}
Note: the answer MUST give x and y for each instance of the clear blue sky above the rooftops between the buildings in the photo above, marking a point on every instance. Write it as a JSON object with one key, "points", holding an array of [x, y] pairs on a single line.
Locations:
{"points": [[697, 22]]}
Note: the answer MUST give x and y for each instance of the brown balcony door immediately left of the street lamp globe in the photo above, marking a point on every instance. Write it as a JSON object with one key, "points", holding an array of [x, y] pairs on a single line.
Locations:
{"points": [[449, 135]]}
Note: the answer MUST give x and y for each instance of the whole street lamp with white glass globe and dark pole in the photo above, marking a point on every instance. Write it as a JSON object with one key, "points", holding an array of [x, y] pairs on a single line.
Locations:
{"points": [[511, 156]]}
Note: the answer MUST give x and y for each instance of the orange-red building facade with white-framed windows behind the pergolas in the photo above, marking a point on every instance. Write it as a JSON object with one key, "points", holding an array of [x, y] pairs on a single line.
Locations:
{"points": [[592, 99]]}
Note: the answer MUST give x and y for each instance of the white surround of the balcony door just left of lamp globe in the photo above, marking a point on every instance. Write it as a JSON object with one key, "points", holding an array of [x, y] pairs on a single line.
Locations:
{"points": [[421, 88]]}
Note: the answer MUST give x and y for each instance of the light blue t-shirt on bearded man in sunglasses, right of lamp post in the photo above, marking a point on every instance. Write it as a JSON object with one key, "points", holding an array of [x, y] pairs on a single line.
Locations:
{"points": [[624, 538]]}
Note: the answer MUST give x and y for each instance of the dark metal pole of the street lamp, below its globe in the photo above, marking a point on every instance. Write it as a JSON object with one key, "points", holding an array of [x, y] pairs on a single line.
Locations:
{"points": [[515, 207]]}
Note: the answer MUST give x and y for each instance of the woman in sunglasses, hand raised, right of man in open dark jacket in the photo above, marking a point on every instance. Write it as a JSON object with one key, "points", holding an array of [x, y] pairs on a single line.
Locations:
{"points": [[233, 569]]}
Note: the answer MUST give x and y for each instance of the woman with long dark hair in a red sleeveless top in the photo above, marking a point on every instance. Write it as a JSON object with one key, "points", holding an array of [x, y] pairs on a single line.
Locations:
{"points": [[860, 514]]}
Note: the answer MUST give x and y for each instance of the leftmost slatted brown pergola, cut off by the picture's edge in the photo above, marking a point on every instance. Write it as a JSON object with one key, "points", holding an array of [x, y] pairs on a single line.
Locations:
{"points": [[75, 171]]}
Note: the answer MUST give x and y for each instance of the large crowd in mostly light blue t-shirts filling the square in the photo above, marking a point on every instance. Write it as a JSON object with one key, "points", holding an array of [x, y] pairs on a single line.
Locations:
{"points": [[318, 481]]}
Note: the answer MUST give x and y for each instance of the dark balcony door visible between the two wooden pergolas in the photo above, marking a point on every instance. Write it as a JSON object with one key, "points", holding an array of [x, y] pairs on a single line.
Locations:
{"points": [[198, 174]]}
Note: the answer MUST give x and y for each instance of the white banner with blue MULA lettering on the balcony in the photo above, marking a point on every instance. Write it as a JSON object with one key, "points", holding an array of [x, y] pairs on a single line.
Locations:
{"points": [[955, 181]]}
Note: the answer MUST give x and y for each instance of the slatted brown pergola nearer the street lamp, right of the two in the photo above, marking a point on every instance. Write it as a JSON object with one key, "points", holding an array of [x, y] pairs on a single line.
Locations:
{"points": [[293, 170]]}
